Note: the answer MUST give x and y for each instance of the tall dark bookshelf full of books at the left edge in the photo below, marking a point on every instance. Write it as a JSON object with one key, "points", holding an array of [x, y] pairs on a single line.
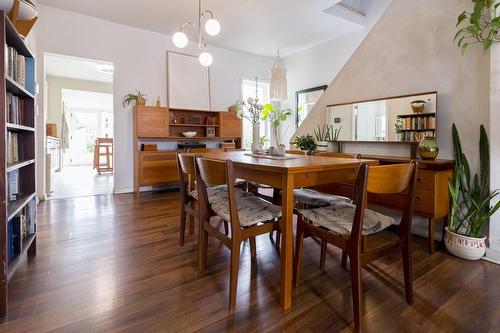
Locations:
{"points": [[18, 209]]}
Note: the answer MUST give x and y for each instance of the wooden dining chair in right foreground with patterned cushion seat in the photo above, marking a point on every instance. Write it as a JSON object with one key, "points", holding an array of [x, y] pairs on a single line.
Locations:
{"points": [[362, 233]]}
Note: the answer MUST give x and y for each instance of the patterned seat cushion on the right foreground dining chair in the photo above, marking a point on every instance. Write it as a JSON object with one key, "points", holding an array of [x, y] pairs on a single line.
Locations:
{"points": [[339, 217]]}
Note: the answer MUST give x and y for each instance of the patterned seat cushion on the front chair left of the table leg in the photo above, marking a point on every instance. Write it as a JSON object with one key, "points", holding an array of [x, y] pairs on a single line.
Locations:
{"points": [[251, 210]]}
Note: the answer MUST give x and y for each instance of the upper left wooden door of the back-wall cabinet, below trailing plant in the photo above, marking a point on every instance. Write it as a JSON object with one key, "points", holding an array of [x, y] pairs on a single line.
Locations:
{"points": [[151, 122]]}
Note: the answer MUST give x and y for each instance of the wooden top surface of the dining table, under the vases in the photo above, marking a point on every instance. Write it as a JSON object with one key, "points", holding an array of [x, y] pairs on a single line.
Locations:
{"points": [[298, 163]]}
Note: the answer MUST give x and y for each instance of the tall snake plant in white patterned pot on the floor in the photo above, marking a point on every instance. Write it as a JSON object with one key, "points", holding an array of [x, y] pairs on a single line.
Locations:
{"points": [[470, 202]]}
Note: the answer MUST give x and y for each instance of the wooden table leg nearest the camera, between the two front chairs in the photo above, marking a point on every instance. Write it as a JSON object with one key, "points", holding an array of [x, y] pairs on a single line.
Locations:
{"points": [[287, 241]]}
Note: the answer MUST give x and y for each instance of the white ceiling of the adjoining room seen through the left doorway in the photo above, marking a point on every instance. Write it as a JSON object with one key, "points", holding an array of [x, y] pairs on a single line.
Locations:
{"points": [[75, 68]]}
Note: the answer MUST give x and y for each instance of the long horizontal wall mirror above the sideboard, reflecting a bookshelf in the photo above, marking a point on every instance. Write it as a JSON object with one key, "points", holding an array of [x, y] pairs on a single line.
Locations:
{"points": [[407, 118]]}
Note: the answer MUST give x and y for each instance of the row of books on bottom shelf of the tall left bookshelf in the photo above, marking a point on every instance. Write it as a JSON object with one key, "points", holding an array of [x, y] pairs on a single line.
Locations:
{"points": [[19, 228]]}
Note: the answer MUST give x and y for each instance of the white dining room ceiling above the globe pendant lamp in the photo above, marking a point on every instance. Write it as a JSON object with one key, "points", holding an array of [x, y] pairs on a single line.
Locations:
{"points": [[256, 26]]}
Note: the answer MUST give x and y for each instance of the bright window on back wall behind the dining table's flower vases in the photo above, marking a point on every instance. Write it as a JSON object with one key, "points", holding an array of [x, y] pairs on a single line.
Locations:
{"points": [[249, 88]]}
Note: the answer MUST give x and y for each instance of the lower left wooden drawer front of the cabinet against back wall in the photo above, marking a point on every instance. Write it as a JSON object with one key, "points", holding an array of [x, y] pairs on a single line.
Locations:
{"points": [[158, 168]]}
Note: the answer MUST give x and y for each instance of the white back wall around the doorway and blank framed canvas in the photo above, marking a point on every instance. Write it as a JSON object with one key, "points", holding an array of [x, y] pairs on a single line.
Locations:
{"points": [[139, 57]]}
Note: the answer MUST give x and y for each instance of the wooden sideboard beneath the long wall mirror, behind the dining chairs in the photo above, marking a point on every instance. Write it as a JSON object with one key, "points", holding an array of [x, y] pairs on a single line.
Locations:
{"points": [[432, 199]]}
